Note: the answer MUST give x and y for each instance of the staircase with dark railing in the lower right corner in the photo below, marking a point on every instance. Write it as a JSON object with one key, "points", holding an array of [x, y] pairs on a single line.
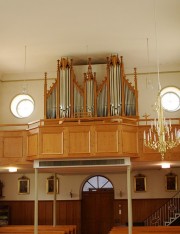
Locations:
{"points": [[166, 215]]}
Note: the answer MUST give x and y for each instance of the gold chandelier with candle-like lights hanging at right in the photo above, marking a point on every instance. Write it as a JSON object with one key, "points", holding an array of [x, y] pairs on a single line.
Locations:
{"points": [[161, 136]]}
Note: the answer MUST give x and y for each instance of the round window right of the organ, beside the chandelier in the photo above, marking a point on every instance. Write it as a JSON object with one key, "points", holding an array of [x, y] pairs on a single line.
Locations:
{"points": [[170, 97]]}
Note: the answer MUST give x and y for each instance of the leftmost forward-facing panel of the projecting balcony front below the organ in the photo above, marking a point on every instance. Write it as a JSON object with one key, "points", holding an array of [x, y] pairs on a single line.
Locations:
{"points": [[52, 143]]}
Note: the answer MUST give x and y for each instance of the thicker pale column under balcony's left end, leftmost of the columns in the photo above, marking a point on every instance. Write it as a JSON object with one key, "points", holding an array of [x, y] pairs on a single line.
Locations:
{"points": [[36, 203]]}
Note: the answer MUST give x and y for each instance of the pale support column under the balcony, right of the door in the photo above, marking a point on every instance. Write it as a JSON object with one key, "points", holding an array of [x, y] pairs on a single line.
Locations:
{"points": [[129, 199]]}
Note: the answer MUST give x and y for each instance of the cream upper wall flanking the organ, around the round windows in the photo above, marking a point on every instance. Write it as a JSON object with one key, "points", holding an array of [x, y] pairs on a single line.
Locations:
{"points": [[147, 89]]}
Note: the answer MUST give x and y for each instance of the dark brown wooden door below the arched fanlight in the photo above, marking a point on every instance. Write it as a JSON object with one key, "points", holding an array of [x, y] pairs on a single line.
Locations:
{"points": [[97, 211]]}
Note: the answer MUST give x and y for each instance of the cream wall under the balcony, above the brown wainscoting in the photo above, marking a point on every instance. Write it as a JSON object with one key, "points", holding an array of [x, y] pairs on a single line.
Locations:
{"points": [[74, 183]]}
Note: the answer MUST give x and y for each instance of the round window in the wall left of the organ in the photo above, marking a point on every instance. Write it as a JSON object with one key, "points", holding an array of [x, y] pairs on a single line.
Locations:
{"points": [[22, 106]]}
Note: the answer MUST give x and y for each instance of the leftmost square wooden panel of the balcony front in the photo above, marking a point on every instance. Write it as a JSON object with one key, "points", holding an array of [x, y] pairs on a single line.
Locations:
{"points": [[13, 147]]}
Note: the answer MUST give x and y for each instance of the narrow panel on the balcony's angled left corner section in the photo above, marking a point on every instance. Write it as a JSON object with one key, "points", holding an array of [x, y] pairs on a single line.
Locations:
{"points": [[32, 145]]}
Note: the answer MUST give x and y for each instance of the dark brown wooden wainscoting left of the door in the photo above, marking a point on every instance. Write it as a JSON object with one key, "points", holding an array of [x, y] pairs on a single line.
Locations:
{"points": [[68, 212]]}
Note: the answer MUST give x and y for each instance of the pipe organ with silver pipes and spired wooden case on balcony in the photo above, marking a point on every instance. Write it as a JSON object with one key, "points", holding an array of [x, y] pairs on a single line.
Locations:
{"points": [[114, 96]]}
